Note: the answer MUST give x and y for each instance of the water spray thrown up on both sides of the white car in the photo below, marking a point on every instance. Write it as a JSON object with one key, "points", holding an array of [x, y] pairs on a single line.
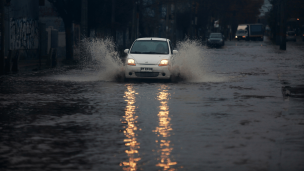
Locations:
{"points": [[101, 61]]}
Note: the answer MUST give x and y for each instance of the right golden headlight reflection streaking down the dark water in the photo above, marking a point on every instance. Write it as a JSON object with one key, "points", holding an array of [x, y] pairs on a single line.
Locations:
{"points": [[163, 131]]}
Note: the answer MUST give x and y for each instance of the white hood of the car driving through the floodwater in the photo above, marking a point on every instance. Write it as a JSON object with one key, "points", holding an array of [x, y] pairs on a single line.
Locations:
{"points": [[148, 58]]}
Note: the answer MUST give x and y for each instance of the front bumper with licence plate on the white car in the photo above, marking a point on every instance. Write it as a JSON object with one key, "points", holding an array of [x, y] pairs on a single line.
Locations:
{"points": [[153, 72]]}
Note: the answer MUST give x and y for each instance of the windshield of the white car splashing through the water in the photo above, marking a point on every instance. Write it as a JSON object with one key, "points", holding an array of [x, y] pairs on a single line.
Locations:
{"points": [[150, 47]]}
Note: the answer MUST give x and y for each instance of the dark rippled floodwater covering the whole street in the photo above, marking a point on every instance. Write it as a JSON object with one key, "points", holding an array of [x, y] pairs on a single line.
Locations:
{"points": [[233, 118]]}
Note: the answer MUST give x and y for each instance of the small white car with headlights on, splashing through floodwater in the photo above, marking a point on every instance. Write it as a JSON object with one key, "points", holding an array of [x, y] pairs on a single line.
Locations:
{"points": [[150, 58]]}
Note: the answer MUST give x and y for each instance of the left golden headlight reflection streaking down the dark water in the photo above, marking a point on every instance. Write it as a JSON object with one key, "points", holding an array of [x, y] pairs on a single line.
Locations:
{"points": [[130, 132]]}
